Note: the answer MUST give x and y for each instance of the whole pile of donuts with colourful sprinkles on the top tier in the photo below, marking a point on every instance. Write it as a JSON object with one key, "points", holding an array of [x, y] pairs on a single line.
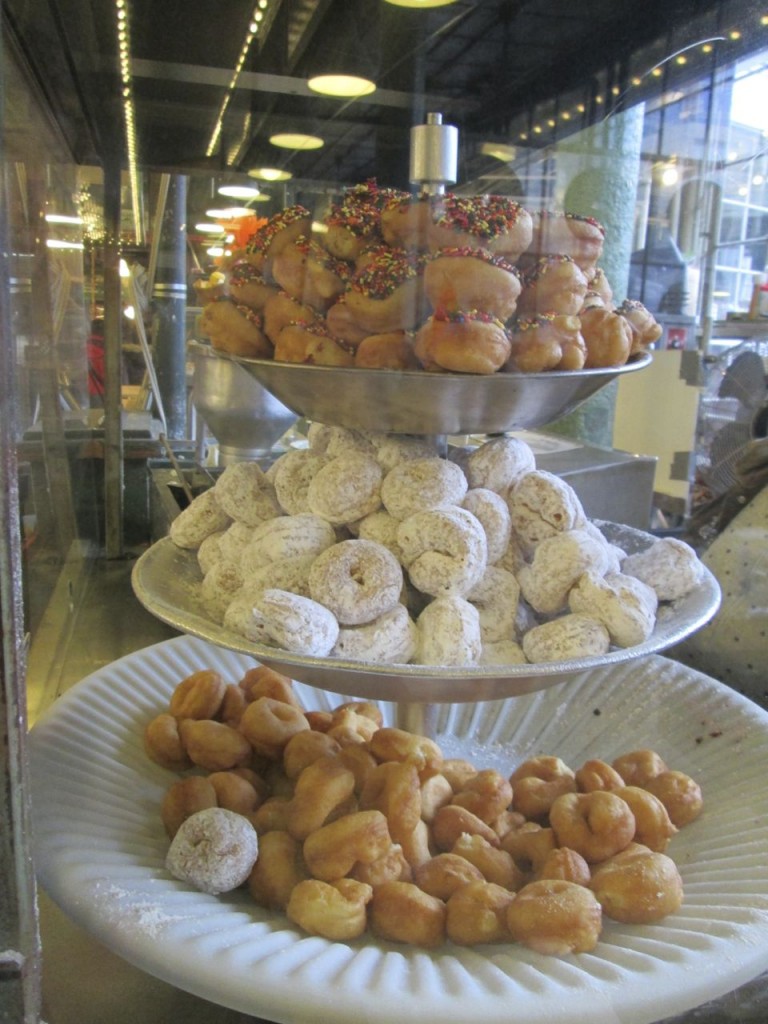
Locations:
{"points": [[449, 284]]}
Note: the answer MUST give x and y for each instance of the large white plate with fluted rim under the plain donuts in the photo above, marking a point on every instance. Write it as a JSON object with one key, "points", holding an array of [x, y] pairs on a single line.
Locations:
{"points": [[101, 849]]}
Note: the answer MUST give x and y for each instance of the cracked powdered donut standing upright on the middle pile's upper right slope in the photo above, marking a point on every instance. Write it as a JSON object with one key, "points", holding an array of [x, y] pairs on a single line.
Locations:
{"points": [[543, 505]]}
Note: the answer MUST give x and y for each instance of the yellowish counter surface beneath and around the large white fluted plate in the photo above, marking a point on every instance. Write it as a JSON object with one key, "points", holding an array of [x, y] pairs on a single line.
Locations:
{"points": [[83, 982]]}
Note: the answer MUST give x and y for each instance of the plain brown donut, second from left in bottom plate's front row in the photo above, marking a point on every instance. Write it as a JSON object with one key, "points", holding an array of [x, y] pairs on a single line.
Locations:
{"points": [[401, 912]]}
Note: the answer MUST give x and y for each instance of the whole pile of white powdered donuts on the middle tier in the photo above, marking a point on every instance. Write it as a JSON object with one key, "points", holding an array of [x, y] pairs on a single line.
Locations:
{"points": [[374, 548]]}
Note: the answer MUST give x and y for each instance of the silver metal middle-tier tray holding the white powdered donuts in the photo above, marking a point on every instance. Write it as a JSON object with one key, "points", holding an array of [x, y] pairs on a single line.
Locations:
{"points": [[166, 580]]}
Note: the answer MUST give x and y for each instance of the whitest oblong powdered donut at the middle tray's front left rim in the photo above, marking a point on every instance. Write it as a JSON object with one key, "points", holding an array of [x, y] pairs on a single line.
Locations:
{"points": [[296, 624]]}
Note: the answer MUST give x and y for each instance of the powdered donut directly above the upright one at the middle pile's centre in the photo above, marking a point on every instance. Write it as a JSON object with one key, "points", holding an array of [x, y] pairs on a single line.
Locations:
{"points": [[422, 485]]}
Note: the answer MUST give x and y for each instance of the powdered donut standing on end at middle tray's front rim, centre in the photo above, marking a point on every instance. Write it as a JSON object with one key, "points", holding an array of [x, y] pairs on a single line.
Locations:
{"points": [[449, 633]]}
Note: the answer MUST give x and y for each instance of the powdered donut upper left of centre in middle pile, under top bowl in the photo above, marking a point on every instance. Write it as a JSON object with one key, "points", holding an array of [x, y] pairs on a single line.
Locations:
{"points": [[346, 489]]}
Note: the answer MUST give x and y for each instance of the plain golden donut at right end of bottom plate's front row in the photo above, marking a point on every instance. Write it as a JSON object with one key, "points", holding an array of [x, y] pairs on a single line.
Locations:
{"points": [[638, 887]]}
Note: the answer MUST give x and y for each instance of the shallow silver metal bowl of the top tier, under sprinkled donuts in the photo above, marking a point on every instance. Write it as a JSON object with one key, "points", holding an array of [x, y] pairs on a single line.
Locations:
{"points": [[420, 403]]}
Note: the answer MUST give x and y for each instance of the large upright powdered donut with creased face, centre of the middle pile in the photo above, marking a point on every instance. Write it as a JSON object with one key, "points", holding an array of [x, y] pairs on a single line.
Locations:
{"points": [[444, 550]]}
